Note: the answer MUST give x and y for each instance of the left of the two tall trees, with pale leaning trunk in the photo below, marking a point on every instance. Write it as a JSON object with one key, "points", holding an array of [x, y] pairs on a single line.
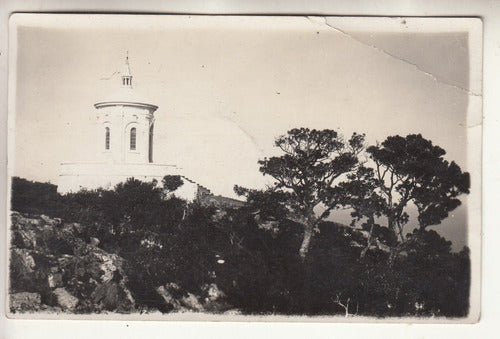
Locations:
{"points": [[306, 175]]}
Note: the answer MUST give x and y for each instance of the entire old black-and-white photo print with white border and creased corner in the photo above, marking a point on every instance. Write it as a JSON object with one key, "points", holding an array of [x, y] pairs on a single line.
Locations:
{"points": [[249, 168]]}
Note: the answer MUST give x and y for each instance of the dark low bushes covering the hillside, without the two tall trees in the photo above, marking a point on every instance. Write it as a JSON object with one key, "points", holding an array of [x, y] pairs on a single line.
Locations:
{"points": [[257, 268]]}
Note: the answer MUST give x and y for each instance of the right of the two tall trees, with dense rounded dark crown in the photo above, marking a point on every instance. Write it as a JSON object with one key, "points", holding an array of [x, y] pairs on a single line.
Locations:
{"points": [[412, 170]]}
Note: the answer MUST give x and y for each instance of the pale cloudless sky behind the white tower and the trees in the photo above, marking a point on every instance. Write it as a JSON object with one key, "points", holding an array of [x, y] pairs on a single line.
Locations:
{"points": [[227, 86]]}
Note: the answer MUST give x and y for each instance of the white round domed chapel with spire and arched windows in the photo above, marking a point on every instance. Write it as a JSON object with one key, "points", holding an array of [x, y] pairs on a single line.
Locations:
{"points": [[125, 123]]}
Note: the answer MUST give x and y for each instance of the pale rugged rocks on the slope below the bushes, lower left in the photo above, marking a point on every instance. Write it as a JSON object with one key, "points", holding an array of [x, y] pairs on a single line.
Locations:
{"points": [[55, 267]]}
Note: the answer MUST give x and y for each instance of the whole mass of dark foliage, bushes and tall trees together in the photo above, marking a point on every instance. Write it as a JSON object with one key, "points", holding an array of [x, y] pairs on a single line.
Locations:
{"points": [[250, 253]]}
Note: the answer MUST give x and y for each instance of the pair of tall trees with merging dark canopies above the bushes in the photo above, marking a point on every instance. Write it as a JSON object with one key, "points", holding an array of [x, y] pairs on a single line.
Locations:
{"points": [[319, 171]]}
